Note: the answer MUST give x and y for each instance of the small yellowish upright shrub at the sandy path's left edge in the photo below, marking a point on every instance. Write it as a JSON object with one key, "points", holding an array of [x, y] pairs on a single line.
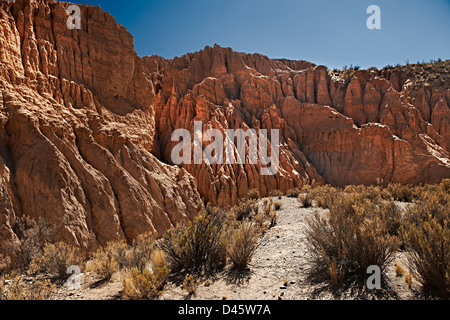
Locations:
{"points": [[242, 244]]}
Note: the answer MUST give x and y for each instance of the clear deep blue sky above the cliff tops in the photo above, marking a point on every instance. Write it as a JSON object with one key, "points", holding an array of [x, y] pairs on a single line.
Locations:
{"points": [[328, 32]]}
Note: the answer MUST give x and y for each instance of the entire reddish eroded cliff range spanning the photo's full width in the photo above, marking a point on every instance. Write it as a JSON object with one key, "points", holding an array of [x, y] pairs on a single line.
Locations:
{"points": [[86, 125]]}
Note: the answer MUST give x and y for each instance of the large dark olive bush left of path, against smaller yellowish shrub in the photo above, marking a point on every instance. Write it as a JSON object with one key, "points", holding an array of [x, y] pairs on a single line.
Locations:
{"points": [[197, 246]]}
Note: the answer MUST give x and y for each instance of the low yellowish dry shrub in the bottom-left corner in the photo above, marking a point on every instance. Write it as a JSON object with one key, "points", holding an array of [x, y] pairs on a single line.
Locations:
{"points": [[15, 287]]}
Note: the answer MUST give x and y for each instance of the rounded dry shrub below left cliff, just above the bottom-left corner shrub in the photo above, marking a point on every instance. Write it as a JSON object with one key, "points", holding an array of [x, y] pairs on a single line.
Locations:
{"points": [[55, 259]]}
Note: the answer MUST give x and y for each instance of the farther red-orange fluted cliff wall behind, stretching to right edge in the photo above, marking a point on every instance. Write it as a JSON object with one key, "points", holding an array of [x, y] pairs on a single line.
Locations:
{"points": [[367, 130]]}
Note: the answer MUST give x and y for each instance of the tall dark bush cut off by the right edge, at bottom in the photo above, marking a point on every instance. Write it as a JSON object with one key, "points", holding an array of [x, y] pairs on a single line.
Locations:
{"points": [[428, 247]]}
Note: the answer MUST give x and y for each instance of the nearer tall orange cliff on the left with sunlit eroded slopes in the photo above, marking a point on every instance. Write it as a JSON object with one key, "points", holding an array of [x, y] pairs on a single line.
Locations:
{"points": [[77, 130]]}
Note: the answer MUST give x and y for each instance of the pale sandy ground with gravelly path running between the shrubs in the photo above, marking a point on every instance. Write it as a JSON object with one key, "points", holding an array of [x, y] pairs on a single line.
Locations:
{"points": [[276, 272]]}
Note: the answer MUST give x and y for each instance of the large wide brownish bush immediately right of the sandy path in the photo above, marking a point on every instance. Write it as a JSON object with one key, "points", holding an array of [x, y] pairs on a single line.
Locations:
{"points": [[347, 239]]}
